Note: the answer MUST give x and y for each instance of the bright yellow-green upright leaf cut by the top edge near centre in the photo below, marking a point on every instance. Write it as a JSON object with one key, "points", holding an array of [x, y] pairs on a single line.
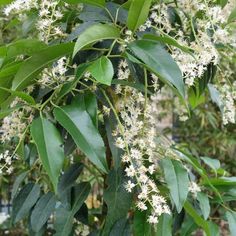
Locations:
{"points": [[138, 13]]}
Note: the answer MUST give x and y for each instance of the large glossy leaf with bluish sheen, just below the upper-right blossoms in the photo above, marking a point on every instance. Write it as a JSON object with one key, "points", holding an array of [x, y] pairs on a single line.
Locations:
{"points": [[160, 62]]}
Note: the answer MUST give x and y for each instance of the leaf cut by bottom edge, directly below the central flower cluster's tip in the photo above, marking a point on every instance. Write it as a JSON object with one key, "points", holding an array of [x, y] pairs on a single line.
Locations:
{"points": [[164, 225]]}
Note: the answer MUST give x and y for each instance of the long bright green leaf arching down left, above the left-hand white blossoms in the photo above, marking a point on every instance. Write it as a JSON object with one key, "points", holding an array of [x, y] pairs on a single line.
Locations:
{"points": [[36, 63]]}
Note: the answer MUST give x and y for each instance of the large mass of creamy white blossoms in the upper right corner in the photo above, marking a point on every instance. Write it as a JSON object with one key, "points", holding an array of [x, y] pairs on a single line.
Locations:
{"points": [[195, 64]]}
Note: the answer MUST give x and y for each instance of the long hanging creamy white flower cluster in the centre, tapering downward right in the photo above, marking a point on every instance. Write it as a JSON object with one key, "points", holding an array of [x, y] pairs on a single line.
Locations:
{"points": [[137, 137]]}
